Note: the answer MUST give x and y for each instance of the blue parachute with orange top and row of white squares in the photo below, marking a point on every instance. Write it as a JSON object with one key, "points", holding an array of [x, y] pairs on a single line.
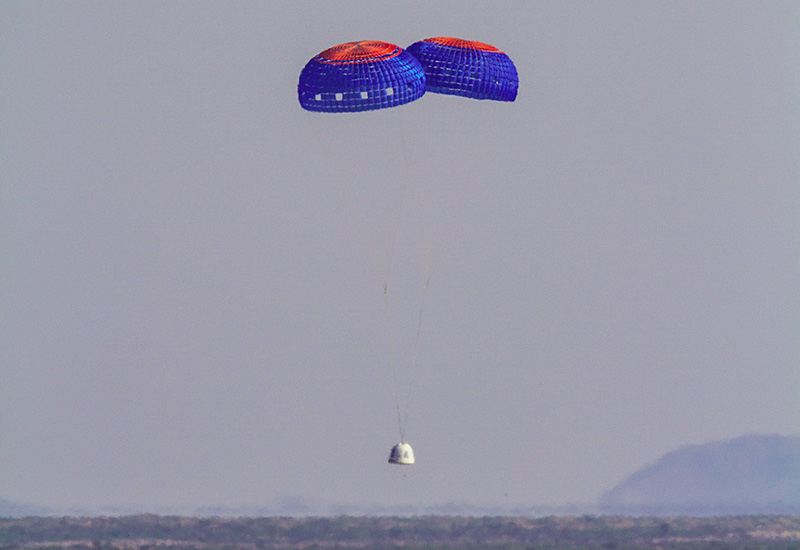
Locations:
{"points": [[360, 76]]}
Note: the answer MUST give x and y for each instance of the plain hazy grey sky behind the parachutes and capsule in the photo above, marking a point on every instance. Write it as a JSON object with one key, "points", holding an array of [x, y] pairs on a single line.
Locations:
{"points": [[190, 315]]}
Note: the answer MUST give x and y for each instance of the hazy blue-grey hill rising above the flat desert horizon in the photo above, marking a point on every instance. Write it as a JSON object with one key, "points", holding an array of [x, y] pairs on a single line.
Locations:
{"points": [[749, 474]]}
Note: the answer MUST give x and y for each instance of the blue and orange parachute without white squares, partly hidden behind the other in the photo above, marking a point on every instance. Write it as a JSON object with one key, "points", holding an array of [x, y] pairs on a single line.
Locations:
{"points": [[466, 68]]}
